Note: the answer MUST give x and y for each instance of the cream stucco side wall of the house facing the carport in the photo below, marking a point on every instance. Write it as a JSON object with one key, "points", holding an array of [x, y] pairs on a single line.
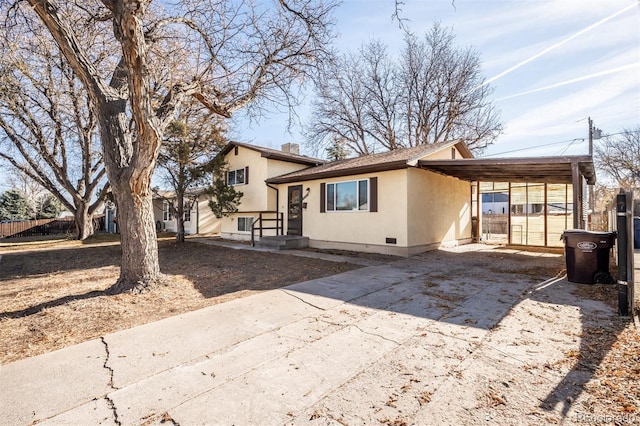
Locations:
{"points": [[439, 209]]}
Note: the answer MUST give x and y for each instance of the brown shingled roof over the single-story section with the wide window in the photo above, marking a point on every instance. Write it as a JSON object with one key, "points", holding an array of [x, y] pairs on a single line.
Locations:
{"points": [[392, 160]]}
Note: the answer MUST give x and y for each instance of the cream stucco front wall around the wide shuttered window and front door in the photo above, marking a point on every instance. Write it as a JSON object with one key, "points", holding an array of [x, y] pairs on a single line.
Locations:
{"points": [[358, 227]]}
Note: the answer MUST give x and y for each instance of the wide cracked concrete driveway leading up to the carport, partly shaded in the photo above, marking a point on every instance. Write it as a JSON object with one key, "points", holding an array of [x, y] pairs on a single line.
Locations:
{"points": [[426, 340]]}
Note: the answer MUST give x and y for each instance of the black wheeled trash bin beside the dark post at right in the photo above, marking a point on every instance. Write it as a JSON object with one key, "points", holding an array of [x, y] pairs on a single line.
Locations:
{"points": [[587, 255]]}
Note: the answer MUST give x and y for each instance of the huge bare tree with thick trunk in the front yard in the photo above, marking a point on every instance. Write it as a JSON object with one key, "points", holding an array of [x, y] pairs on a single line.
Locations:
{"points": [[227, 54]]}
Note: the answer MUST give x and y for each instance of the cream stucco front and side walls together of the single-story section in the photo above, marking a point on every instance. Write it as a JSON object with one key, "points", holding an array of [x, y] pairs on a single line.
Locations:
{"points": [[421, 210]]}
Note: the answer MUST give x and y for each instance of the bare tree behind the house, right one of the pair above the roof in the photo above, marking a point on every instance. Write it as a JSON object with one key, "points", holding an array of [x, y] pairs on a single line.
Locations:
{"points": [[447, 97]]}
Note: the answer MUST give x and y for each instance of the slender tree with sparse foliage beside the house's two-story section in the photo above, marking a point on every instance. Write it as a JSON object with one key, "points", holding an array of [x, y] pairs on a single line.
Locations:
{"points": [[187, 160]]}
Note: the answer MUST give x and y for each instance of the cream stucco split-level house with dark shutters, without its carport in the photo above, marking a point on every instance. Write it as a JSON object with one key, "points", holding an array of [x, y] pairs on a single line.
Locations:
{"points": [[378, 203]]}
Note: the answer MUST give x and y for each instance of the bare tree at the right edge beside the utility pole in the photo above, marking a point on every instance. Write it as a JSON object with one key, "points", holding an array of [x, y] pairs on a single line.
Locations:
{"points": [[618, 156]]}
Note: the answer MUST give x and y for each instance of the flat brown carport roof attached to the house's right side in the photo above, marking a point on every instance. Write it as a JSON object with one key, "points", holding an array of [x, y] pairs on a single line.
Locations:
{"points": [[533, 169]]}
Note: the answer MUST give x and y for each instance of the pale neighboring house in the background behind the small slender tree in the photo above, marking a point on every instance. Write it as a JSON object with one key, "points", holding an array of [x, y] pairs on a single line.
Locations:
{"points": [[198, 217]]}
